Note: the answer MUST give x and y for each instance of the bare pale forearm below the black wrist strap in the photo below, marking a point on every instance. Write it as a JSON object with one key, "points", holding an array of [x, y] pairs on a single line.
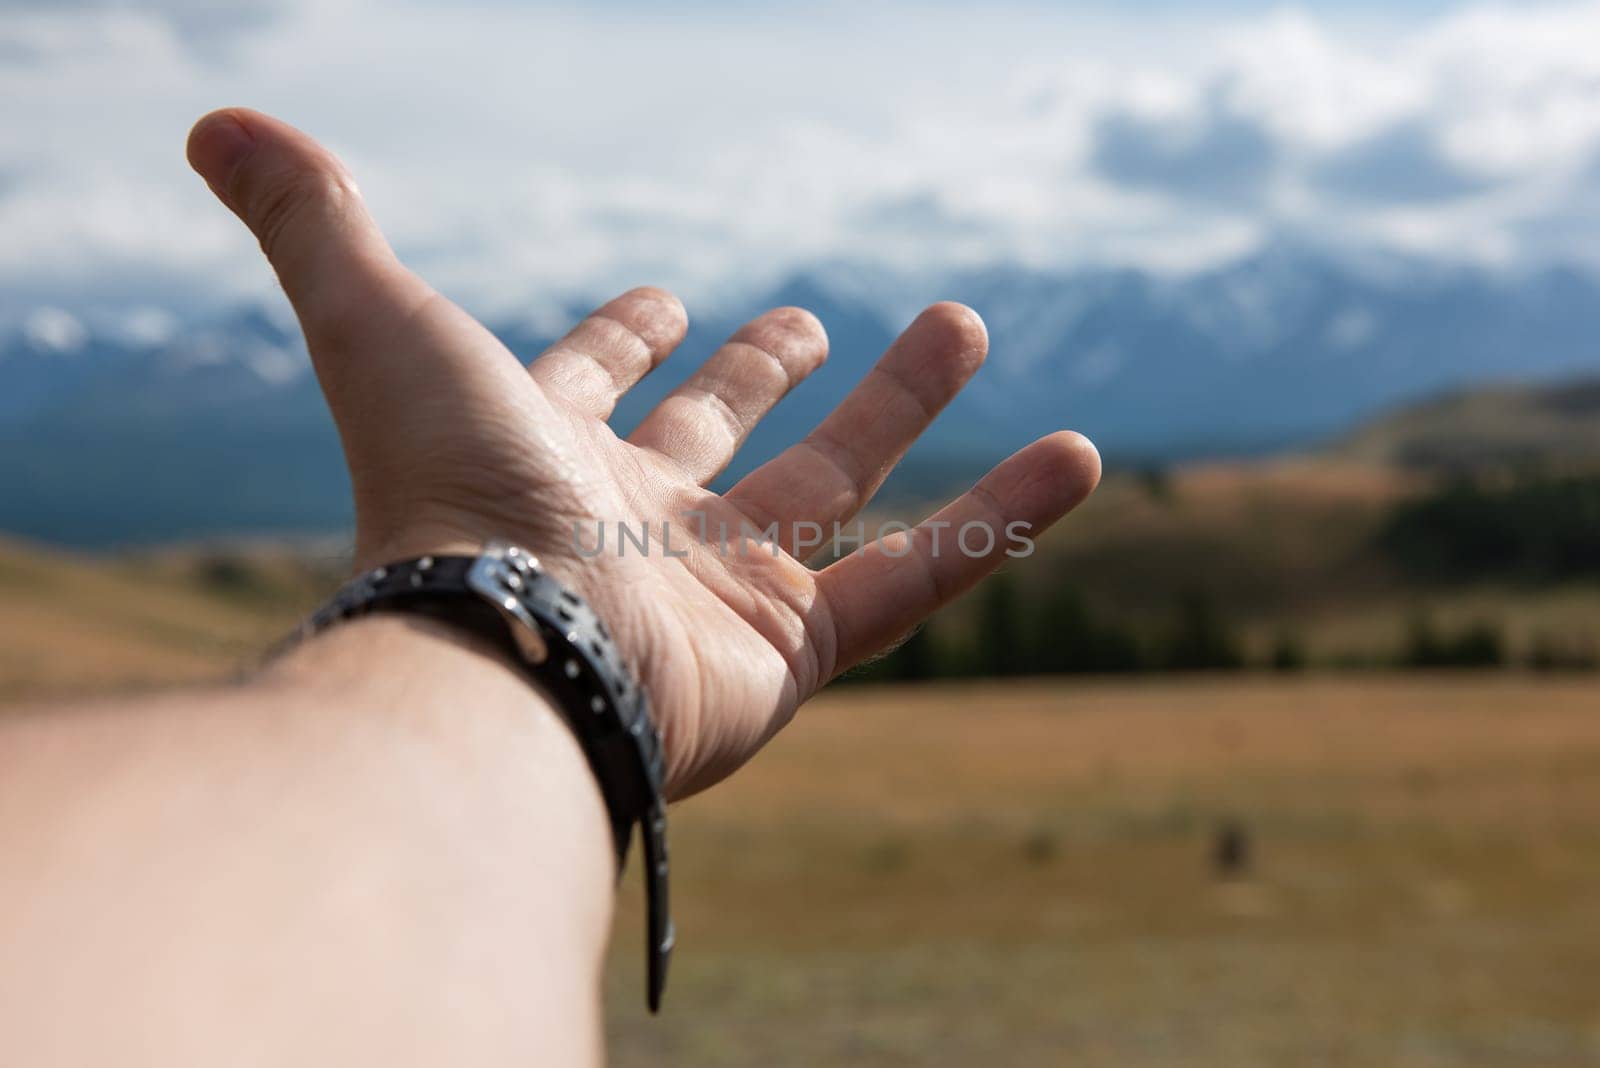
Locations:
{"points": [[385, 850]]}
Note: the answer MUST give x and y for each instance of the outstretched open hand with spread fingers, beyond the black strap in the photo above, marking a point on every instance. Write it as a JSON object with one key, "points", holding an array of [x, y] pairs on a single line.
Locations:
{"points": [[452, 442]]}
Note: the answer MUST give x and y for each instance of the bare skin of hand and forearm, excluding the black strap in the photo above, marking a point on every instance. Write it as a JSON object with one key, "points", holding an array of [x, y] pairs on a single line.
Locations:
{"points": [[386, 848]]}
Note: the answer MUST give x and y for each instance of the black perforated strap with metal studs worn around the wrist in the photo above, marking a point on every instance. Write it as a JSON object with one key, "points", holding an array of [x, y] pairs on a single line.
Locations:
{"points": [[558, 640]]}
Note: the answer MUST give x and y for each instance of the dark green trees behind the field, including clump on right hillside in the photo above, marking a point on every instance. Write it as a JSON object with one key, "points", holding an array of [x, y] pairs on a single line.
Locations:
{"points": [[1540, 532]]}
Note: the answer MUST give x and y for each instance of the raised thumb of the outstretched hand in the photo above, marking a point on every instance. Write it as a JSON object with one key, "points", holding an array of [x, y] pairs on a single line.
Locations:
{"points": [[305, 209]]}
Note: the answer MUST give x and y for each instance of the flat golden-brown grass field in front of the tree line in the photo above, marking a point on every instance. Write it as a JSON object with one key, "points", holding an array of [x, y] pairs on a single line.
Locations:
{"points": [[1026, 875]]}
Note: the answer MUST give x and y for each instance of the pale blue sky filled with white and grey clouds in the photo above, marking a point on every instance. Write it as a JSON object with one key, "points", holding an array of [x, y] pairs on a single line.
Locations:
{"points": [[518, 149]]}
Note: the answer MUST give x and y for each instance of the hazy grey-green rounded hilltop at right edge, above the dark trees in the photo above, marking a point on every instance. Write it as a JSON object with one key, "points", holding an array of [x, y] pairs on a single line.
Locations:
{"points": [[1522, 428]]}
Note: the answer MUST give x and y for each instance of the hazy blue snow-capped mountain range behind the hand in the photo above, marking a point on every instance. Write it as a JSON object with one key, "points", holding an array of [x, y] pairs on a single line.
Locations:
{"points": [[156, 426]]}
